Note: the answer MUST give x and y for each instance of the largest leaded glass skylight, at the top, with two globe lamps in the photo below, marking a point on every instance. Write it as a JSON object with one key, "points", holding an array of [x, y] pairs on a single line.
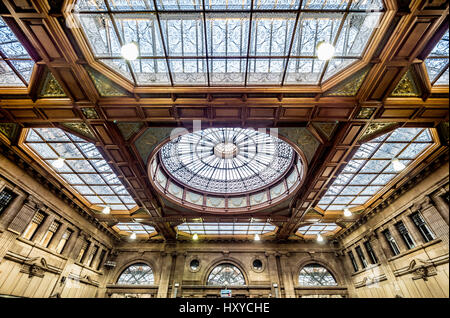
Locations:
{"points": [[234, 42]]}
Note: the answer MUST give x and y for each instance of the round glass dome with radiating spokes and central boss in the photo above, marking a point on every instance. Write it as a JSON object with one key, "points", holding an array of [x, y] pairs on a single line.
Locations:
{"points": [[226, 160]]}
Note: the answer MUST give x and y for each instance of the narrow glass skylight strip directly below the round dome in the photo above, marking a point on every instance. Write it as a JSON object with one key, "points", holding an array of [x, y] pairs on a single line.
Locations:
{"points": [[232, 229]]}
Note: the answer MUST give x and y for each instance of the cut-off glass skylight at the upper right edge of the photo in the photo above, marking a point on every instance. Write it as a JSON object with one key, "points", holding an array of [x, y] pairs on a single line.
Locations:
{"points": [[437, 62]]}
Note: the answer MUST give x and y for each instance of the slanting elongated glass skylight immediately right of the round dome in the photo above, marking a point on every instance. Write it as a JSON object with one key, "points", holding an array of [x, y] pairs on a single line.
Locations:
{"points": [[371, 167]]}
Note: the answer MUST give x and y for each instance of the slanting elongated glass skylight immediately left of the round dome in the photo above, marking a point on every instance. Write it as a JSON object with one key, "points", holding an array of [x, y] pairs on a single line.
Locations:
{"points": [[84, 168]]}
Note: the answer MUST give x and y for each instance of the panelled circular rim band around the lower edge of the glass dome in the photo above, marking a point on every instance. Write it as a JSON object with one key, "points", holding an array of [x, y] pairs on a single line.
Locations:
{"points": [[268, 196]]}
